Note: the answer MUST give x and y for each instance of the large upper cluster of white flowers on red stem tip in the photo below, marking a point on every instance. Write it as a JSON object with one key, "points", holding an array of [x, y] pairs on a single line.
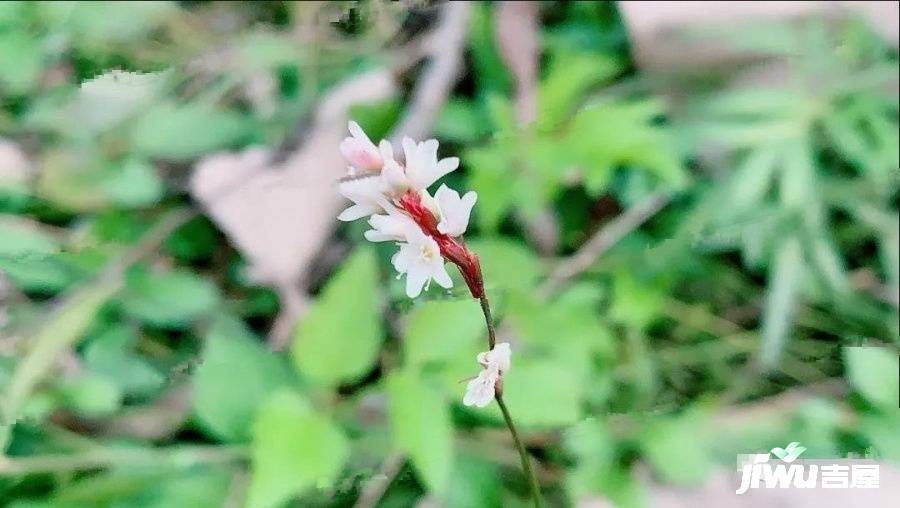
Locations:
{"points": [[395, 198]]}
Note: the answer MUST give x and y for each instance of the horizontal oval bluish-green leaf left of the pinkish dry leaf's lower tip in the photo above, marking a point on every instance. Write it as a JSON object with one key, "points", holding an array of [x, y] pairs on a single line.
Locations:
{"points": [[170, 299]]}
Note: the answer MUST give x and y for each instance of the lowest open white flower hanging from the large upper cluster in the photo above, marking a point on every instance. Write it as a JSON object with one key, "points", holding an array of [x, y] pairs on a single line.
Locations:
{"points": [[420, 259]]}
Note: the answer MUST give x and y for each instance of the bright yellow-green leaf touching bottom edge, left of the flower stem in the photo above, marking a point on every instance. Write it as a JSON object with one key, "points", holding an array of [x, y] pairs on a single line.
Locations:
{"points": [[293, 449]]}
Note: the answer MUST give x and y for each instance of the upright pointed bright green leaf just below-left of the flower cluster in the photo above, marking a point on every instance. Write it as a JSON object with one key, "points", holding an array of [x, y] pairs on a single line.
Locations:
{"points": [[339, 338]]}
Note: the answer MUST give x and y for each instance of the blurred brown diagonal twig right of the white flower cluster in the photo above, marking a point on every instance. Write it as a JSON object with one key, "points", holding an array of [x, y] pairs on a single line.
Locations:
{"points": [[602, 241]]}
